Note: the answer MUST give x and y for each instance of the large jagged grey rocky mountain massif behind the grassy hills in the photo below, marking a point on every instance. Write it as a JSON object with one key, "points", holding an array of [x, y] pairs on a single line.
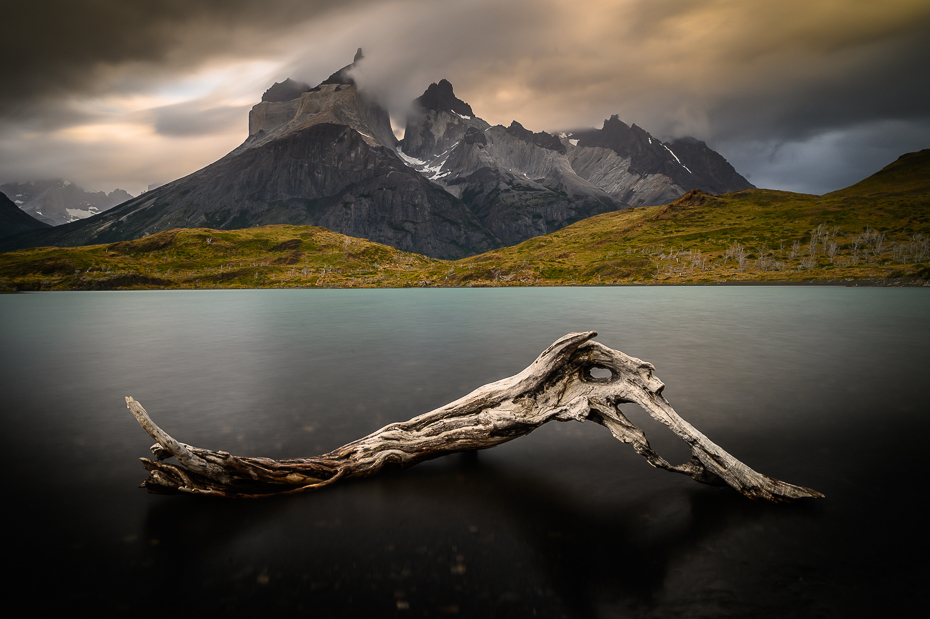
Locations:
{"points": [[455, 186]]}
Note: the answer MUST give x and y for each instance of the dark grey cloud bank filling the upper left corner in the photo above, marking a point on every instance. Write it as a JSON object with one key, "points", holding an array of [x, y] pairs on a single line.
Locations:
{"points": [[62, 47]]}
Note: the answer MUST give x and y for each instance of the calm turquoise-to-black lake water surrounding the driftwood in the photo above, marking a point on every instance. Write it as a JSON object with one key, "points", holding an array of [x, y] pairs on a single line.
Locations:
{"points": [[819, 386]]}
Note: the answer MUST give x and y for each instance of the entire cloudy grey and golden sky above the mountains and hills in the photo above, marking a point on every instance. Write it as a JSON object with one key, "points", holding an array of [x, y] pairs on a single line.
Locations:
{"points": [[799, 95]]}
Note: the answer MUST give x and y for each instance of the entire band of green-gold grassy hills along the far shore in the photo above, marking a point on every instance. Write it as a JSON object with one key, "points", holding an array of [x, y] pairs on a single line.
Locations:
{"points": [[876, 230]]}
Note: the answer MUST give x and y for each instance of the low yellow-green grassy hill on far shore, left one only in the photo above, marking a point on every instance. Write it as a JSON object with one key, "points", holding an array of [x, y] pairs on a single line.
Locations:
{"points": [[263, 257]]}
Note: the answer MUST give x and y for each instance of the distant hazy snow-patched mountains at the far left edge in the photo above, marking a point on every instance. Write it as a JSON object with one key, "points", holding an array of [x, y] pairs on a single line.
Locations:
{"points": [[58, 201]]}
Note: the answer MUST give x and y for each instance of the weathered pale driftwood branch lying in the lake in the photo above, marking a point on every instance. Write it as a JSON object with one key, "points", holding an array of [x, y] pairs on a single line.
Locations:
{"points": [[559, 386]]}
